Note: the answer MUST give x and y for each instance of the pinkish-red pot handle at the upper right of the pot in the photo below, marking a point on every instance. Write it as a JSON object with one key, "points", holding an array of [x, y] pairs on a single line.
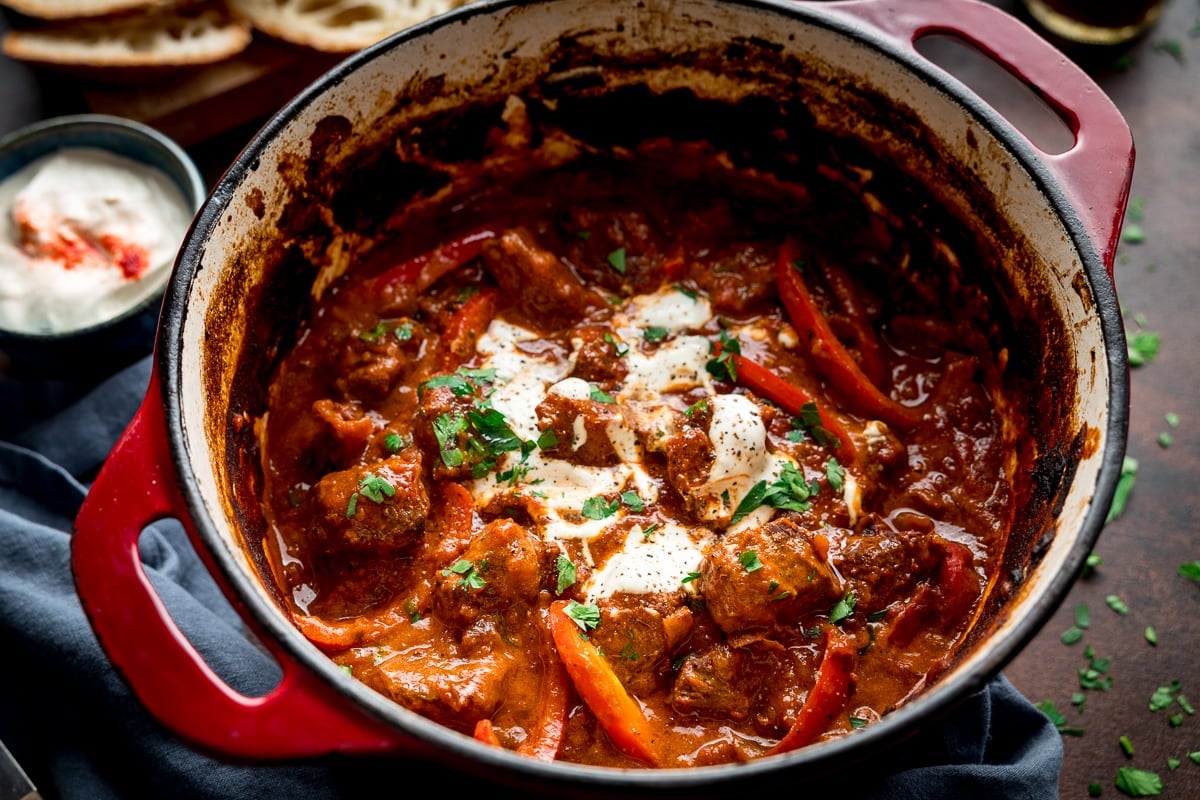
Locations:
{"points": [[1096, 172]]}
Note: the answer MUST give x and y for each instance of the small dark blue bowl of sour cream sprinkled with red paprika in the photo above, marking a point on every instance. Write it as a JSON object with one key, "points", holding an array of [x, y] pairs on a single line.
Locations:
{"points": [[93, 212]]}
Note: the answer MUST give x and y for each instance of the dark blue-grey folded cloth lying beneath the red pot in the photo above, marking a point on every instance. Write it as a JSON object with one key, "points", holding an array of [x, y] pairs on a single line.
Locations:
{"points": [[81, 733]]}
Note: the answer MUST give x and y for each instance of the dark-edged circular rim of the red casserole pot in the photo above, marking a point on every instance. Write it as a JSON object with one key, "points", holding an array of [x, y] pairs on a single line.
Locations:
{"points": [[821, 757]]}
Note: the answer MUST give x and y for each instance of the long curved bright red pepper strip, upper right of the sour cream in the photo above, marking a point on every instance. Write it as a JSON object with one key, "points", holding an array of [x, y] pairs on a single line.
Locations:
{"points": [[829, 353]]}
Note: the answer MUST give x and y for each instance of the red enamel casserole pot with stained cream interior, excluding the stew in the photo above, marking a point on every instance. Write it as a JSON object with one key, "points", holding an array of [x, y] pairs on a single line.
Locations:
{"points": [[1051, 224]]}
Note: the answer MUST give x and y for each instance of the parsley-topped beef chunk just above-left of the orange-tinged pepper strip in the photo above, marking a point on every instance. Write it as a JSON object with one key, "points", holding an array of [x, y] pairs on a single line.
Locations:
{"points": [[501, 568]]}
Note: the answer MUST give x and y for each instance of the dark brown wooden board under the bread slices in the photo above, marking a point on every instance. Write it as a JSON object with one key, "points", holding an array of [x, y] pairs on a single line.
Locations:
{"points": [[201, 104]]}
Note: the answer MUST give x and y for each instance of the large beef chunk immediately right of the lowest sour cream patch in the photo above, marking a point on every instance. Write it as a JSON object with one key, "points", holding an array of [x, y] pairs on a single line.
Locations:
{"points": [[793, 581]]}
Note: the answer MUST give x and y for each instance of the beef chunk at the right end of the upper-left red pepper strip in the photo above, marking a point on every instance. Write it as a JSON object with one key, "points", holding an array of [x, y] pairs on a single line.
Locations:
{"points": [[547, 291]]}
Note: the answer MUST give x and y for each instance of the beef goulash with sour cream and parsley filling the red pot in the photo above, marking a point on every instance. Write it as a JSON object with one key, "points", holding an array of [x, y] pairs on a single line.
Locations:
{"points": [[643, 459]]}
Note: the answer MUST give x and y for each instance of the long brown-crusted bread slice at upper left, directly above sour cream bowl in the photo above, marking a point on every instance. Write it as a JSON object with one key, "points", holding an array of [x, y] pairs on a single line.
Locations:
{"points": [[158, 38]]}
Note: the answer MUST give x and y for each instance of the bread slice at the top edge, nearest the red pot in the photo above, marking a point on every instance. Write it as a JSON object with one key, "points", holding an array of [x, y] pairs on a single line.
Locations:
{"points": [[338, 26]]}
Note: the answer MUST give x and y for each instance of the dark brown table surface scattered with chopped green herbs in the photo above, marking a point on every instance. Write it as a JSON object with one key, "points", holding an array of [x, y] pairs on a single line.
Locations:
{"points": [[1157, 87]]}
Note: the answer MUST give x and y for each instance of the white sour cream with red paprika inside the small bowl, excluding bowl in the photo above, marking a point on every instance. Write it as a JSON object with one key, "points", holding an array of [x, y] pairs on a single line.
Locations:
{"points": [[85, 236]]}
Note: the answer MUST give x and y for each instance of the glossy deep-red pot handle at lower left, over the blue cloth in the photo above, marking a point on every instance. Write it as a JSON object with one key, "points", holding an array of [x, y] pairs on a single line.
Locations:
{"points": [[301, 718]]}
